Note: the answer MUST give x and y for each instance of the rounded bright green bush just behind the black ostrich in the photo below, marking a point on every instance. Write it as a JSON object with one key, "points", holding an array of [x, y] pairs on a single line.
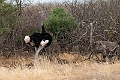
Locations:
{"points": [[59, 22]]}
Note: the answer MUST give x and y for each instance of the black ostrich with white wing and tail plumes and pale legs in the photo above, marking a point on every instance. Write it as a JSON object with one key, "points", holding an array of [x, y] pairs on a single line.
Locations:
{"points": [[39, 41]]}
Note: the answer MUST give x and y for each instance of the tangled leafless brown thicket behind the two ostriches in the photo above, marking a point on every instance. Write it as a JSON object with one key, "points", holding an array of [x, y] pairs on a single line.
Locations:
{"points": [[104, 15]]}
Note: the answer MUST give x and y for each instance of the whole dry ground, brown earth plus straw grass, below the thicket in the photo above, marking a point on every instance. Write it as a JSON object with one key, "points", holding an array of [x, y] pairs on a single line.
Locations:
{"points": [[74, 68]]}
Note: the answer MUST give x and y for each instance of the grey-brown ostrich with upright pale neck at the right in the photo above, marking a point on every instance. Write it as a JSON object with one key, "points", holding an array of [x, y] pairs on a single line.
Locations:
{"points": [[108, 49]]}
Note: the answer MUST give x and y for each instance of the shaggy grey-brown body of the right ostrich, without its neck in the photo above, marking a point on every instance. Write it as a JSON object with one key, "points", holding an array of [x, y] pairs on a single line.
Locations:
{"points": [[107, 48]]}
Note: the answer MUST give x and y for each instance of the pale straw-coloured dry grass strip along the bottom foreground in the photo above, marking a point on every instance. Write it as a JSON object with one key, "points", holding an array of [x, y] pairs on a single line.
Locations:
{"points": [[46, 70]]}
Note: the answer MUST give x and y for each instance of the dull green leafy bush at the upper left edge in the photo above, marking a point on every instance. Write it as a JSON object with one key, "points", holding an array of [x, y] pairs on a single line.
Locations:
{"points": [[8, 19]]}
